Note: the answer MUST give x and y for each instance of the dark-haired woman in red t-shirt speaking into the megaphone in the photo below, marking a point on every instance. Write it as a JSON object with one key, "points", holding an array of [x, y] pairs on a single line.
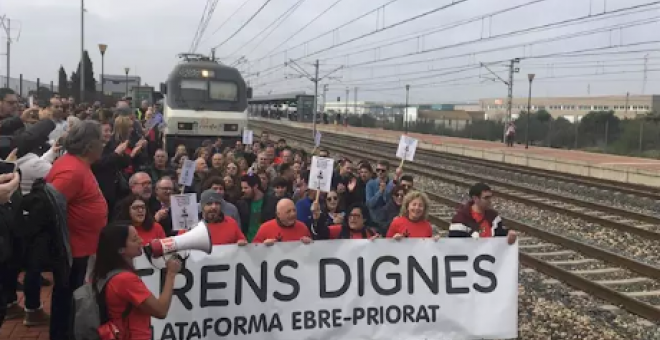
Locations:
{"points": [[118, 245]]}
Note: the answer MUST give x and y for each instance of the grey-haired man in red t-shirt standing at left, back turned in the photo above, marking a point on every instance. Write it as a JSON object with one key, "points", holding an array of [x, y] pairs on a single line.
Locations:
{"points": [[87, 214]]}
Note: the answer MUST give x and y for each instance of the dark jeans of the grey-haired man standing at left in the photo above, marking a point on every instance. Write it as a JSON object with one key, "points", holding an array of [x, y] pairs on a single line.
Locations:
{"points": [[62, 312]]}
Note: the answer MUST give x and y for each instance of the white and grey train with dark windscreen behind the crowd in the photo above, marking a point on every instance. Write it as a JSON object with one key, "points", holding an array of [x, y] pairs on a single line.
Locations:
{"points": [[204, 100]]}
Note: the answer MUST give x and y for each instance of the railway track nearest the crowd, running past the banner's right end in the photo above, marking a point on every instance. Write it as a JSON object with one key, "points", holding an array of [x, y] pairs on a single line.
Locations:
{"points": [[619, 280]]}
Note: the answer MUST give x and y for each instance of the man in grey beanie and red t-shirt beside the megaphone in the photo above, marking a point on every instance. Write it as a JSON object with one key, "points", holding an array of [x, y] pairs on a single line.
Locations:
{"points": [[223, 229]]}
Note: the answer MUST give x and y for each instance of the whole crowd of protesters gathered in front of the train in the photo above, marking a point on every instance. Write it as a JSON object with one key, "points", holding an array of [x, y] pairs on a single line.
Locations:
{"points": [[110, 171]]}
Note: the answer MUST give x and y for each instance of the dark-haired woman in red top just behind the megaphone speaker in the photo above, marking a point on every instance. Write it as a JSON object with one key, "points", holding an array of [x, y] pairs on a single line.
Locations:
{"points": [[135, 209]]}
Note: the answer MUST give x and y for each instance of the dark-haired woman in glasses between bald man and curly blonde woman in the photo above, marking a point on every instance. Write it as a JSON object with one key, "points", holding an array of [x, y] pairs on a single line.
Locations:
{"points": [[356, 225]]}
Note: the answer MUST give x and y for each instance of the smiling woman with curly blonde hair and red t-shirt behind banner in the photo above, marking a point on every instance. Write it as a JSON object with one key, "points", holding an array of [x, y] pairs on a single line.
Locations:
{"points": [[413, 220]]}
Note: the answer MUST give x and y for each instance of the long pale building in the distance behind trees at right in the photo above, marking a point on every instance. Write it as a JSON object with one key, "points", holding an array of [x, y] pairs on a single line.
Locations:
{"points": [[573, 108]]}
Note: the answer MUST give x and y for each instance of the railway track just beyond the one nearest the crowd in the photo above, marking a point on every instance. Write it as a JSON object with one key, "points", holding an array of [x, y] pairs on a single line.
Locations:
{"points": [[628, 221]]}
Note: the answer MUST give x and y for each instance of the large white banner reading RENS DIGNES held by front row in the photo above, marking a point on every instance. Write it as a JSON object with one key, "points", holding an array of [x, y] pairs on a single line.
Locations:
{"points": [[413, 289]]}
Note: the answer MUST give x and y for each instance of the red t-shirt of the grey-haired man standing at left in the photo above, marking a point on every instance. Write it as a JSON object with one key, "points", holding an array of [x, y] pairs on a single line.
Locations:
{"points": [[87, 210]]}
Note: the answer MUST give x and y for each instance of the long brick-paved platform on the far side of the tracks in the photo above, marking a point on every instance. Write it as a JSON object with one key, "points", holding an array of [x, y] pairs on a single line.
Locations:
{"points": [[618, 168]]}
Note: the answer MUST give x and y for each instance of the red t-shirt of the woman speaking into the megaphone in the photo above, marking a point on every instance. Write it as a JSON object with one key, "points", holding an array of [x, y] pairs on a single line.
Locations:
{"points": [[122, 290]]}
